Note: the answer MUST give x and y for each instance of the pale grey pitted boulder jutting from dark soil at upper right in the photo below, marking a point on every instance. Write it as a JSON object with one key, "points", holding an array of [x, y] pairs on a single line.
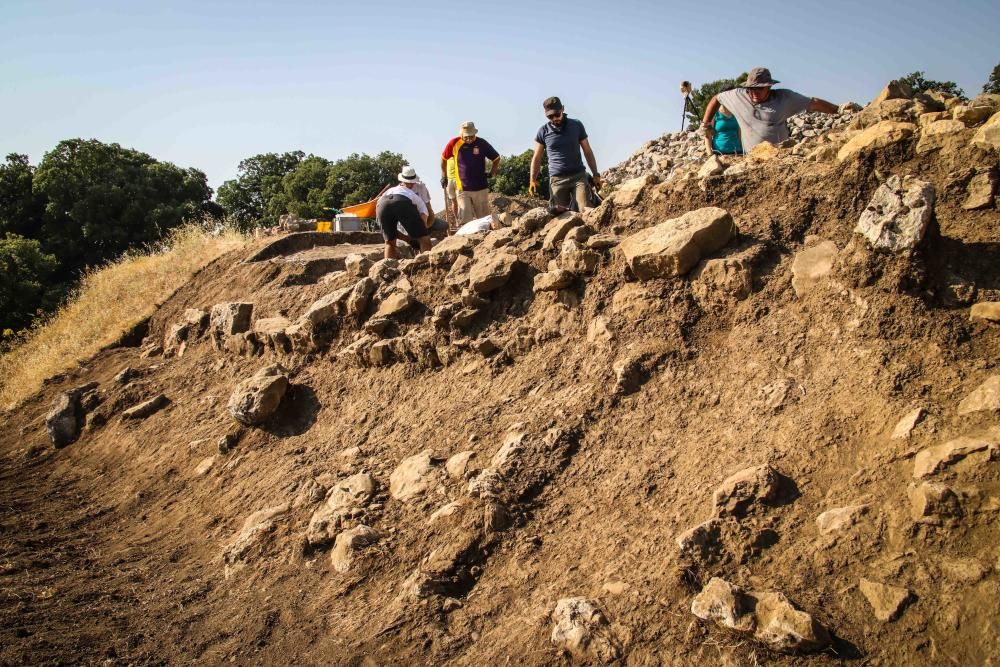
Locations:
{"points": [[897, 216]]}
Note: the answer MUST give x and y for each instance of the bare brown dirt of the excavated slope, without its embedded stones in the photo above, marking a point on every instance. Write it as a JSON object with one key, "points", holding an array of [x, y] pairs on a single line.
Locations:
{"points": [[627, 402]]}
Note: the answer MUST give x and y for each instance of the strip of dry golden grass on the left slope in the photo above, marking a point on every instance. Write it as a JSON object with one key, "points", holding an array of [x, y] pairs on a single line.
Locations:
{"points": [[109, 301]]}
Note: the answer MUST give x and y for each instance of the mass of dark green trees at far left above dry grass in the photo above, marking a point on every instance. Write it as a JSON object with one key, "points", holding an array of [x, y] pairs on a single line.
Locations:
{"points": [[86, 203]]}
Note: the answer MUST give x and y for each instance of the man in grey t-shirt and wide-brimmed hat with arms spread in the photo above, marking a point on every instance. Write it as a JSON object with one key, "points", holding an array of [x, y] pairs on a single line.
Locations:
{"points": [[761, 110]]}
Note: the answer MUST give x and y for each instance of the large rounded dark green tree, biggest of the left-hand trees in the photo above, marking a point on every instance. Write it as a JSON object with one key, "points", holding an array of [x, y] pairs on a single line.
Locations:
{"points": [[101, 200]]}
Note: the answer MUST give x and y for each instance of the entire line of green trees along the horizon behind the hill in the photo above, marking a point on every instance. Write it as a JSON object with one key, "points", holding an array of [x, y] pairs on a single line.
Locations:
{"points": [[87, 202]]}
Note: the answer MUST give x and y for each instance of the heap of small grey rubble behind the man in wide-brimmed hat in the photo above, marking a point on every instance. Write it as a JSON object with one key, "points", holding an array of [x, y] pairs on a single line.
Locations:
{"points": [[665, 156]]}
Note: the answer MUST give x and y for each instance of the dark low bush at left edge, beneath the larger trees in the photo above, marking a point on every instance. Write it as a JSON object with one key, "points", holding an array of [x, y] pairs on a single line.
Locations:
{"points": [[26, 290]]}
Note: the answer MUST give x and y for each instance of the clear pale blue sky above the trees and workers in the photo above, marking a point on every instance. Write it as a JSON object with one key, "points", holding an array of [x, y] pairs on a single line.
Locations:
{"points": [[206, 84]]}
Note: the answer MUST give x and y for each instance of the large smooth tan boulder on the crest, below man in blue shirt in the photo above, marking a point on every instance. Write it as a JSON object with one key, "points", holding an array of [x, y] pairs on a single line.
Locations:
{"points": [[674, 247]]}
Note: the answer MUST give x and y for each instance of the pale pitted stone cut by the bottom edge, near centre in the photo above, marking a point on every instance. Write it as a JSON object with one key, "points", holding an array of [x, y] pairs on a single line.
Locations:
{"points": [[581, 629]]}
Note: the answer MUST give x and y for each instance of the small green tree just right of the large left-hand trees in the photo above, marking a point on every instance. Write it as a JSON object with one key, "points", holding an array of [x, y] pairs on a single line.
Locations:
{"points": [[256, 196]]}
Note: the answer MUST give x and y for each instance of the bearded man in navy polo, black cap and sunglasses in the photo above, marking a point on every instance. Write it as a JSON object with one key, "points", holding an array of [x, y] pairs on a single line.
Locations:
{"points": [[563, 138]]}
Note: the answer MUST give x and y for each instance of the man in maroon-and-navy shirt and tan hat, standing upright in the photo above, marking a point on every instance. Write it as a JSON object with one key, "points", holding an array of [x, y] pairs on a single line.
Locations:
{"points": [[470, 153]]}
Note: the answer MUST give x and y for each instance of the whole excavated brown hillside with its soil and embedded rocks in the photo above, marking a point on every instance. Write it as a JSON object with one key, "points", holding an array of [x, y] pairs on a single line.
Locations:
{"points": [[741, 415]]}
